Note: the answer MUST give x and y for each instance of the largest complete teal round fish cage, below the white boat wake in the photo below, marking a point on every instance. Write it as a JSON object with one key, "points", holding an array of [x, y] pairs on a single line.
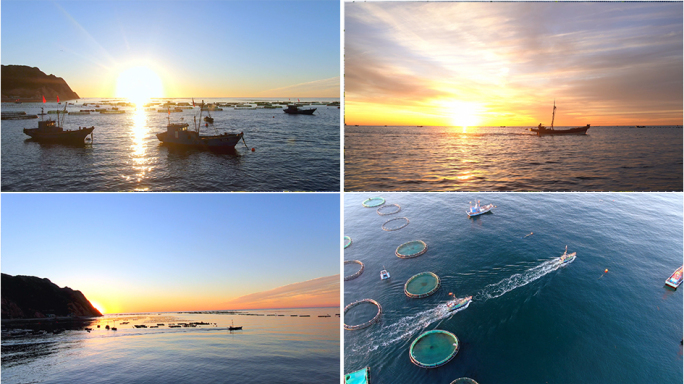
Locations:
{"points": [[433, 348]]}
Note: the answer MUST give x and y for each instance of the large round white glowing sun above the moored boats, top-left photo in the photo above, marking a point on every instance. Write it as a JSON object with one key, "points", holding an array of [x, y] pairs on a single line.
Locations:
{"points": [[139, 84]]}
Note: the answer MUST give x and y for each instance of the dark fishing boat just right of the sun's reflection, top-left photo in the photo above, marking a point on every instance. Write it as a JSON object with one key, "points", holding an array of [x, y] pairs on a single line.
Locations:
{"points": [[178, 134]]}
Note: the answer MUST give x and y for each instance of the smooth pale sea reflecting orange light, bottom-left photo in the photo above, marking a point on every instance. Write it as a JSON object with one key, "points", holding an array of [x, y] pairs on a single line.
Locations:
{"points": [[272, 347]]}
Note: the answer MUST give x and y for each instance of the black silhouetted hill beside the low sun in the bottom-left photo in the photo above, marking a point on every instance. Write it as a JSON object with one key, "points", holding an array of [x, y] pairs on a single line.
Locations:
{"points": [[31, 297]]}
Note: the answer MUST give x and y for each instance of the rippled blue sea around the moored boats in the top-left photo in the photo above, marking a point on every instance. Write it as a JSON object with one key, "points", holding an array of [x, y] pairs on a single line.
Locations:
{"points": [[291, 152]]}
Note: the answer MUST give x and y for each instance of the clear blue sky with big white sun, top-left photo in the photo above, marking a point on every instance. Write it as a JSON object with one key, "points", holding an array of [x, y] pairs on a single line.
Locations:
{"points": [[191, 48]]}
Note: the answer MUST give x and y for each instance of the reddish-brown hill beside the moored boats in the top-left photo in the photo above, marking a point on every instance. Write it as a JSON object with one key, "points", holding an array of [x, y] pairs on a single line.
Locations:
{"points": [[30, 83]]}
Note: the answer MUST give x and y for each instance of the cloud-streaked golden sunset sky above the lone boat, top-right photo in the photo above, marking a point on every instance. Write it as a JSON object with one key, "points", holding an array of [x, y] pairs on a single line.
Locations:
{"points": [[492, 64]]}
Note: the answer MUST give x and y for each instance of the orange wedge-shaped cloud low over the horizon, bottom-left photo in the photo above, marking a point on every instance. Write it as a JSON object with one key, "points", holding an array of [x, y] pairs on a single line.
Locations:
{"points": [[319, 292]]}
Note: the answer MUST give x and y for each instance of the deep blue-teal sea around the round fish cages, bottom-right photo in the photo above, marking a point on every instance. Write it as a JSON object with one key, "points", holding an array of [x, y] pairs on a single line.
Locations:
{"points": [[531, 321]]}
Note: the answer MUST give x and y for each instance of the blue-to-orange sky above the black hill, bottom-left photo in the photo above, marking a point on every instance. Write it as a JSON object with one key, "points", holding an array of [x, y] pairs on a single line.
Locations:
{"points": [[179, 252]]}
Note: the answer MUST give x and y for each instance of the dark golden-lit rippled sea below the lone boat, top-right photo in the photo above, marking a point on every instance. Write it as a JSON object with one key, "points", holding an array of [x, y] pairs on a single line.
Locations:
{"points": [[511, 159]]}
